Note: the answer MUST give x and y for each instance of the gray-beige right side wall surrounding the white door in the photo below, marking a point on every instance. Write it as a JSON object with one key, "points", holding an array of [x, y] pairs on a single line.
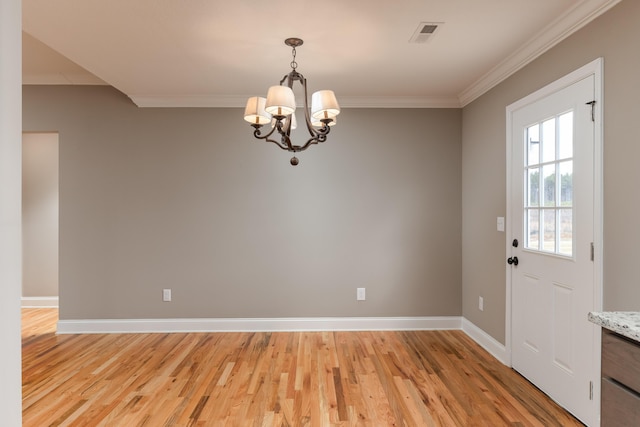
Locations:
{"points": [[614, 36]]}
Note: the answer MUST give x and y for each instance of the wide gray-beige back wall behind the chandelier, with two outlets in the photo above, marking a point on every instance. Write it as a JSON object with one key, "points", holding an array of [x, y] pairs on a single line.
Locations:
{"points": [[187, 199]]}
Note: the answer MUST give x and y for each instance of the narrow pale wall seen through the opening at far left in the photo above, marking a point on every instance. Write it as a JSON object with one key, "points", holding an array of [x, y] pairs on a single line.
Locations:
{"points": [[40, 215]]}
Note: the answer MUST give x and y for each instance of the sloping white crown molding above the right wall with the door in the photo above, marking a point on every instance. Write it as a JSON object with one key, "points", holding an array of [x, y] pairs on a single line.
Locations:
{"points": [[565, 25]]}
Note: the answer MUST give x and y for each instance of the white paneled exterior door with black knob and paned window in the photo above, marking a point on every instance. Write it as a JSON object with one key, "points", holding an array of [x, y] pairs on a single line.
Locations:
{"points": [[553, 281]]}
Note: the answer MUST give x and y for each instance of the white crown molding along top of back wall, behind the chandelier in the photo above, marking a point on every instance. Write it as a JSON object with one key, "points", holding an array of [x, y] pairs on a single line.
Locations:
{"points": [[239, 101]]}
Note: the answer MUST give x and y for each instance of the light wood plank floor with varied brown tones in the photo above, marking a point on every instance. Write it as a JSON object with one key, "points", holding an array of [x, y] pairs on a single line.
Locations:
{"points": [[416, 378]]}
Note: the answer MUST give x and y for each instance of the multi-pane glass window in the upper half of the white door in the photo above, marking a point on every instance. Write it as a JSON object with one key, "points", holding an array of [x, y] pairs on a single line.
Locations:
{"points": [[548, 172]]}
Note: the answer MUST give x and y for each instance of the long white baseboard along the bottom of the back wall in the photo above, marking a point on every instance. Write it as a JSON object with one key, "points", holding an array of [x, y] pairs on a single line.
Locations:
{"points": [[104, 326]]}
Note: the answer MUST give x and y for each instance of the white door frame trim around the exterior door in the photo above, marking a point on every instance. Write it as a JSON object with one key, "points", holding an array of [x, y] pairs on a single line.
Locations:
{"points": [[594, 68]]}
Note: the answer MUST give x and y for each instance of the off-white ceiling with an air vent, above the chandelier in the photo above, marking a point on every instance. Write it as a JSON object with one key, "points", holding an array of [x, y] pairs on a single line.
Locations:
{"points": [[216, 53]]}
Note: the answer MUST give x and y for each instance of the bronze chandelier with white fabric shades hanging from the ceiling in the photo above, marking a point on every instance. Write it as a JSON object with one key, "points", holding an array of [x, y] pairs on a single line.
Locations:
{"points": [[278, 109]]}
